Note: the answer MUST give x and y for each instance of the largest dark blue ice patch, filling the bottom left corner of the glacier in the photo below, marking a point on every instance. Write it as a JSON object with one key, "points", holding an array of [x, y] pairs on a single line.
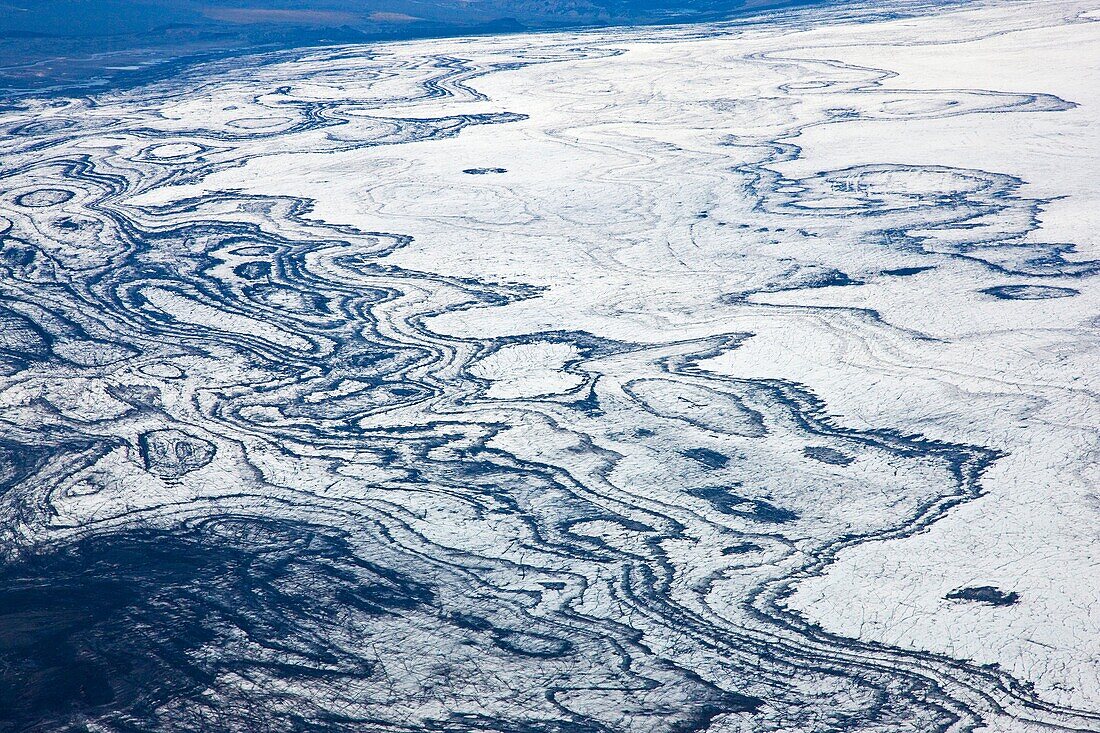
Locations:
{"points": [[116, 628]]}
